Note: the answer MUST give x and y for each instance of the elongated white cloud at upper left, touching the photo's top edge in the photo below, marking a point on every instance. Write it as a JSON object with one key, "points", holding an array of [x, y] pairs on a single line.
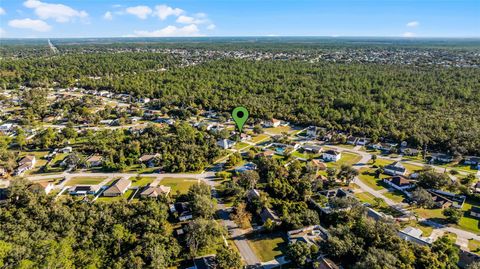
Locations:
{"points": [[58, 12]]}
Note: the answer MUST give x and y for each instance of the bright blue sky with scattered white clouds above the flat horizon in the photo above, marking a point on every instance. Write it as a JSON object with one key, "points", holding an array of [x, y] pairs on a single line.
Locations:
{"points": [[117, 18]]}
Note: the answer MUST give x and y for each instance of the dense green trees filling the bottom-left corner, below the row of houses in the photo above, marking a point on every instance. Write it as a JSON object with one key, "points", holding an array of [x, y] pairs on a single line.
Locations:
{"points": [[39, 232]]}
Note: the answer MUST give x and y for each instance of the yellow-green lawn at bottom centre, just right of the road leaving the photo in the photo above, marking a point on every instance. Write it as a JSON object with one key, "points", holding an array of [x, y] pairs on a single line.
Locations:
{"points": [[268, 246]]}
